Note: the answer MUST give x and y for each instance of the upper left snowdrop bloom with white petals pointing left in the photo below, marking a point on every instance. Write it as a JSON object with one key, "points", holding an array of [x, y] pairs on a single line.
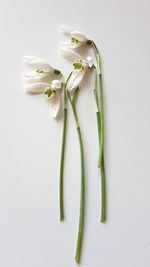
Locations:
{"points": [[39, 76]]}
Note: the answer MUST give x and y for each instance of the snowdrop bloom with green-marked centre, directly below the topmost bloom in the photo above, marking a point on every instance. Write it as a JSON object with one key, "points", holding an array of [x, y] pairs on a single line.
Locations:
{"points": [[80, 67]]}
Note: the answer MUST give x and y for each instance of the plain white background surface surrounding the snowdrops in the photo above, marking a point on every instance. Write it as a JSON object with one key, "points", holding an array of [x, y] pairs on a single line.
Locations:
{"points": [[30, 232]]}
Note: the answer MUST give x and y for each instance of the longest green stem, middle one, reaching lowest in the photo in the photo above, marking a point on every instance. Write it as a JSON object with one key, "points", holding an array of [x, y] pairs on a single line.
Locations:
{"points": [[81, 215]]}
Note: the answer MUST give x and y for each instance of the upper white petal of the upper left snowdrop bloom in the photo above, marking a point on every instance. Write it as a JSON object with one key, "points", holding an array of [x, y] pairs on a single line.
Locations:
{"points": [[41, 64]]}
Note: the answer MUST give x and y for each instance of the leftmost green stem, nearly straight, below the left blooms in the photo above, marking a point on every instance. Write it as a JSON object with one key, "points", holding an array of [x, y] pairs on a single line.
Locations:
{"points": [[61, 206]]}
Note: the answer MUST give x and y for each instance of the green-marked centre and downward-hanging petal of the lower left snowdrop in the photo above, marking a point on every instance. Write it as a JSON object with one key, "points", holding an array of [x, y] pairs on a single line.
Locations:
{"points": [[52, 92]]}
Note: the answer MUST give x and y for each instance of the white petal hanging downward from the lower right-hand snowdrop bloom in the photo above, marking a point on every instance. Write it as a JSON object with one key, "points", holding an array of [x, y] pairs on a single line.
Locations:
{"points": [[75, 79]]}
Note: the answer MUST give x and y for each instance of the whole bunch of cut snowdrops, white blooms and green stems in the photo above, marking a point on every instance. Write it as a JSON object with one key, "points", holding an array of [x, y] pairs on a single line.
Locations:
{"points": [[41, 77]]}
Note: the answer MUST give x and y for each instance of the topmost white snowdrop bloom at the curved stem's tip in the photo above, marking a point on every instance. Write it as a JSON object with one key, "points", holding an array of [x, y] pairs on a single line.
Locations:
{"points": [[77, 39]]}
